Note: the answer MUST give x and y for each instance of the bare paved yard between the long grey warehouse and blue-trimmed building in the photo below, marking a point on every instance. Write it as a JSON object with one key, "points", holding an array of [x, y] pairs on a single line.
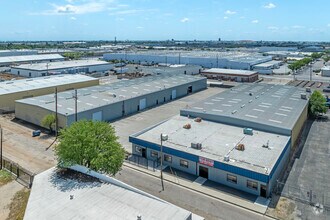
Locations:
{"points": [[137, 122]]}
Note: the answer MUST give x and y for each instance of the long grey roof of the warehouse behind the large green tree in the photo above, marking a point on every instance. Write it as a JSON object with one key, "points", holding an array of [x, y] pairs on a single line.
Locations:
{"points": [[97, 96]]}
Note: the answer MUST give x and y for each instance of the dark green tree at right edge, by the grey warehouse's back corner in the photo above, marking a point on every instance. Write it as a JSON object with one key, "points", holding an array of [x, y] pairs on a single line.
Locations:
{"points": [[317, 104]]}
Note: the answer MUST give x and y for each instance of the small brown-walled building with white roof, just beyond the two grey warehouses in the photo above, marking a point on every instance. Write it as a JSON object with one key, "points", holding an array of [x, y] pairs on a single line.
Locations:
{"points": [[230, 74]]}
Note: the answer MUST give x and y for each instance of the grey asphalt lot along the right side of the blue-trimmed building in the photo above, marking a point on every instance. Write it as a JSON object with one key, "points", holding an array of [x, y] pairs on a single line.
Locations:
{"points": [[309, 177]]}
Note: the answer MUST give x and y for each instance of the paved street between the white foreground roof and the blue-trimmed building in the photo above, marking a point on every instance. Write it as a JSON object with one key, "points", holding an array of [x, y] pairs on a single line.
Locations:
{"points": [[198, 203]]}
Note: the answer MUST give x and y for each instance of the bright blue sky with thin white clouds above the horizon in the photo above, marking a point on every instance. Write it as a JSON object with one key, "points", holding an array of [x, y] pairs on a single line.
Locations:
{"points": [[296, 20]]}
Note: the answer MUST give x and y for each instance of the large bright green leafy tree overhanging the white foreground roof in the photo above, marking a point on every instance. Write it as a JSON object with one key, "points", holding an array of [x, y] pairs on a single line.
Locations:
{"points": [[91, 144]]}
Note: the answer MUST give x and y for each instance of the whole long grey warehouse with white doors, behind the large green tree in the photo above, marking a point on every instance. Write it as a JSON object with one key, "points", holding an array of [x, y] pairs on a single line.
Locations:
{"points": [[110, 102]]}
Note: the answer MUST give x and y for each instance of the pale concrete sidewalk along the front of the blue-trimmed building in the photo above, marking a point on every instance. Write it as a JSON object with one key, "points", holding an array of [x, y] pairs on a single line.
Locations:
{"points": [[195, 186]]}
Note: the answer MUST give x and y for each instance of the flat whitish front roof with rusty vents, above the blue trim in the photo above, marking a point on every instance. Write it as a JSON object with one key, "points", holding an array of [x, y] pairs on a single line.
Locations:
{"points": [[219, 140]]}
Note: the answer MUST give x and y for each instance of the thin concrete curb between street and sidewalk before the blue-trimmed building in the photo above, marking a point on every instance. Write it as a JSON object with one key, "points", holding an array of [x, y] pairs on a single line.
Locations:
{"points": [[264, 214]]}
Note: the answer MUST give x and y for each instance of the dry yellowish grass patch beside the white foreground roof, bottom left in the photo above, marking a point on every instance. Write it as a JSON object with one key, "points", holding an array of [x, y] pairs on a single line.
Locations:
{"points": [[18, 205]]}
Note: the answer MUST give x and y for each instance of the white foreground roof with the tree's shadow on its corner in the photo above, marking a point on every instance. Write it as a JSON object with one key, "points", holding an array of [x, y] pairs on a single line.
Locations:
{"points": [[93, 198]]}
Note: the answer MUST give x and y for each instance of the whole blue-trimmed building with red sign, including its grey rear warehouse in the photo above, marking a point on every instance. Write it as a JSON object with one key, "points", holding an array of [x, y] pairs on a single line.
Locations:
{"points": [[241, 138]]}
